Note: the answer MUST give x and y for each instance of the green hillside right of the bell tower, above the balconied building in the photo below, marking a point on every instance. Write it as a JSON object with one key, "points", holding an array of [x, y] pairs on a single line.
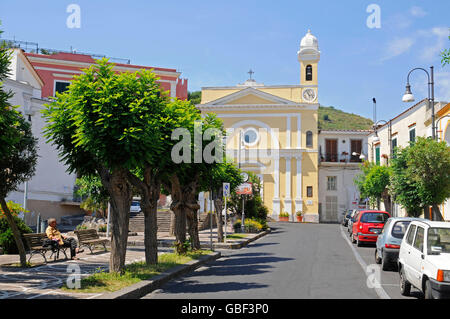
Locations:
{"points": [[334, 119]]}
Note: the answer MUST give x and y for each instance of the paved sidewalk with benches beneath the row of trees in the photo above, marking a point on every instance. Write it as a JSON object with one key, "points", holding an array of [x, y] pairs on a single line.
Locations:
{"points": [[44, 280]]}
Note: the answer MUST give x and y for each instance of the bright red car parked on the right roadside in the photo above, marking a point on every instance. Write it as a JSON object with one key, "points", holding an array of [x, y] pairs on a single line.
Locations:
{"points": [[367, 225]]}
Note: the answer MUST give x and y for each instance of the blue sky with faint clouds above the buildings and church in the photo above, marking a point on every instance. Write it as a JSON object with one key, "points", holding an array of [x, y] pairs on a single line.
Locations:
{"points": [[214, 43]]}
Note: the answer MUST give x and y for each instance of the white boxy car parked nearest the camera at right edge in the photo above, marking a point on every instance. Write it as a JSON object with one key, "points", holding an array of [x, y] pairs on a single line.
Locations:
{"points": [[424, 259]]}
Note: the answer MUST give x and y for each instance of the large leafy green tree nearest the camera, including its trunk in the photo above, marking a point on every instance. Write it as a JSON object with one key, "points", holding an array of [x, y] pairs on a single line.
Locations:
{"points": [[103, 125]]}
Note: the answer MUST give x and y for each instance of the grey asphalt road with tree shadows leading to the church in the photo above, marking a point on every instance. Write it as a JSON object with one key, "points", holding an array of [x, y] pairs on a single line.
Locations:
{"points": [[293, 261]]}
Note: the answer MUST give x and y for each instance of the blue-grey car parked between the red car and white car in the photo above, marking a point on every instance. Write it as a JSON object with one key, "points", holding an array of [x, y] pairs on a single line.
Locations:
{"points": [[389, 241]]}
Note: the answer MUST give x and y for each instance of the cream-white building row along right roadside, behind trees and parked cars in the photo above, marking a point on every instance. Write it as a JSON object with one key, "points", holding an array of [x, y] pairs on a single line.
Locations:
{"points": [[405, 127]]}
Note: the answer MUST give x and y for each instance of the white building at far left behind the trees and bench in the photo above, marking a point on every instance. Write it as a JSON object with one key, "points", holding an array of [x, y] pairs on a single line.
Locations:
{"points": [[50, 191]]}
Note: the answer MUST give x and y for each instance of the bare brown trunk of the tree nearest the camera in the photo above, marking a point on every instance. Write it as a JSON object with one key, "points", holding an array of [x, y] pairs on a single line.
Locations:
{"points": [[121, 196]]}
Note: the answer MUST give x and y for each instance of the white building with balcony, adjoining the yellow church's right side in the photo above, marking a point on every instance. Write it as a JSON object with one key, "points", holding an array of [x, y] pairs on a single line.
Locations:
{"points": [[338, 168]]}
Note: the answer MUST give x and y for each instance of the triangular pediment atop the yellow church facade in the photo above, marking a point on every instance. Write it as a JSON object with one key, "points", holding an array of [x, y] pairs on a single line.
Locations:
{"points": [[250, 96]]}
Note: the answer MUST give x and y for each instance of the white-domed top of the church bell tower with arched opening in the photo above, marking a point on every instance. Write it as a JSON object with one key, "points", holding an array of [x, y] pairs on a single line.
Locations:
{"points": [[309, 57]]}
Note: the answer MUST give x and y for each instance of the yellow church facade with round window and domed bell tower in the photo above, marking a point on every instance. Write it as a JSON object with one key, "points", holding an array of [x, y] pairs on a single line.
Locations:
{"points": [[272, 132]]}
